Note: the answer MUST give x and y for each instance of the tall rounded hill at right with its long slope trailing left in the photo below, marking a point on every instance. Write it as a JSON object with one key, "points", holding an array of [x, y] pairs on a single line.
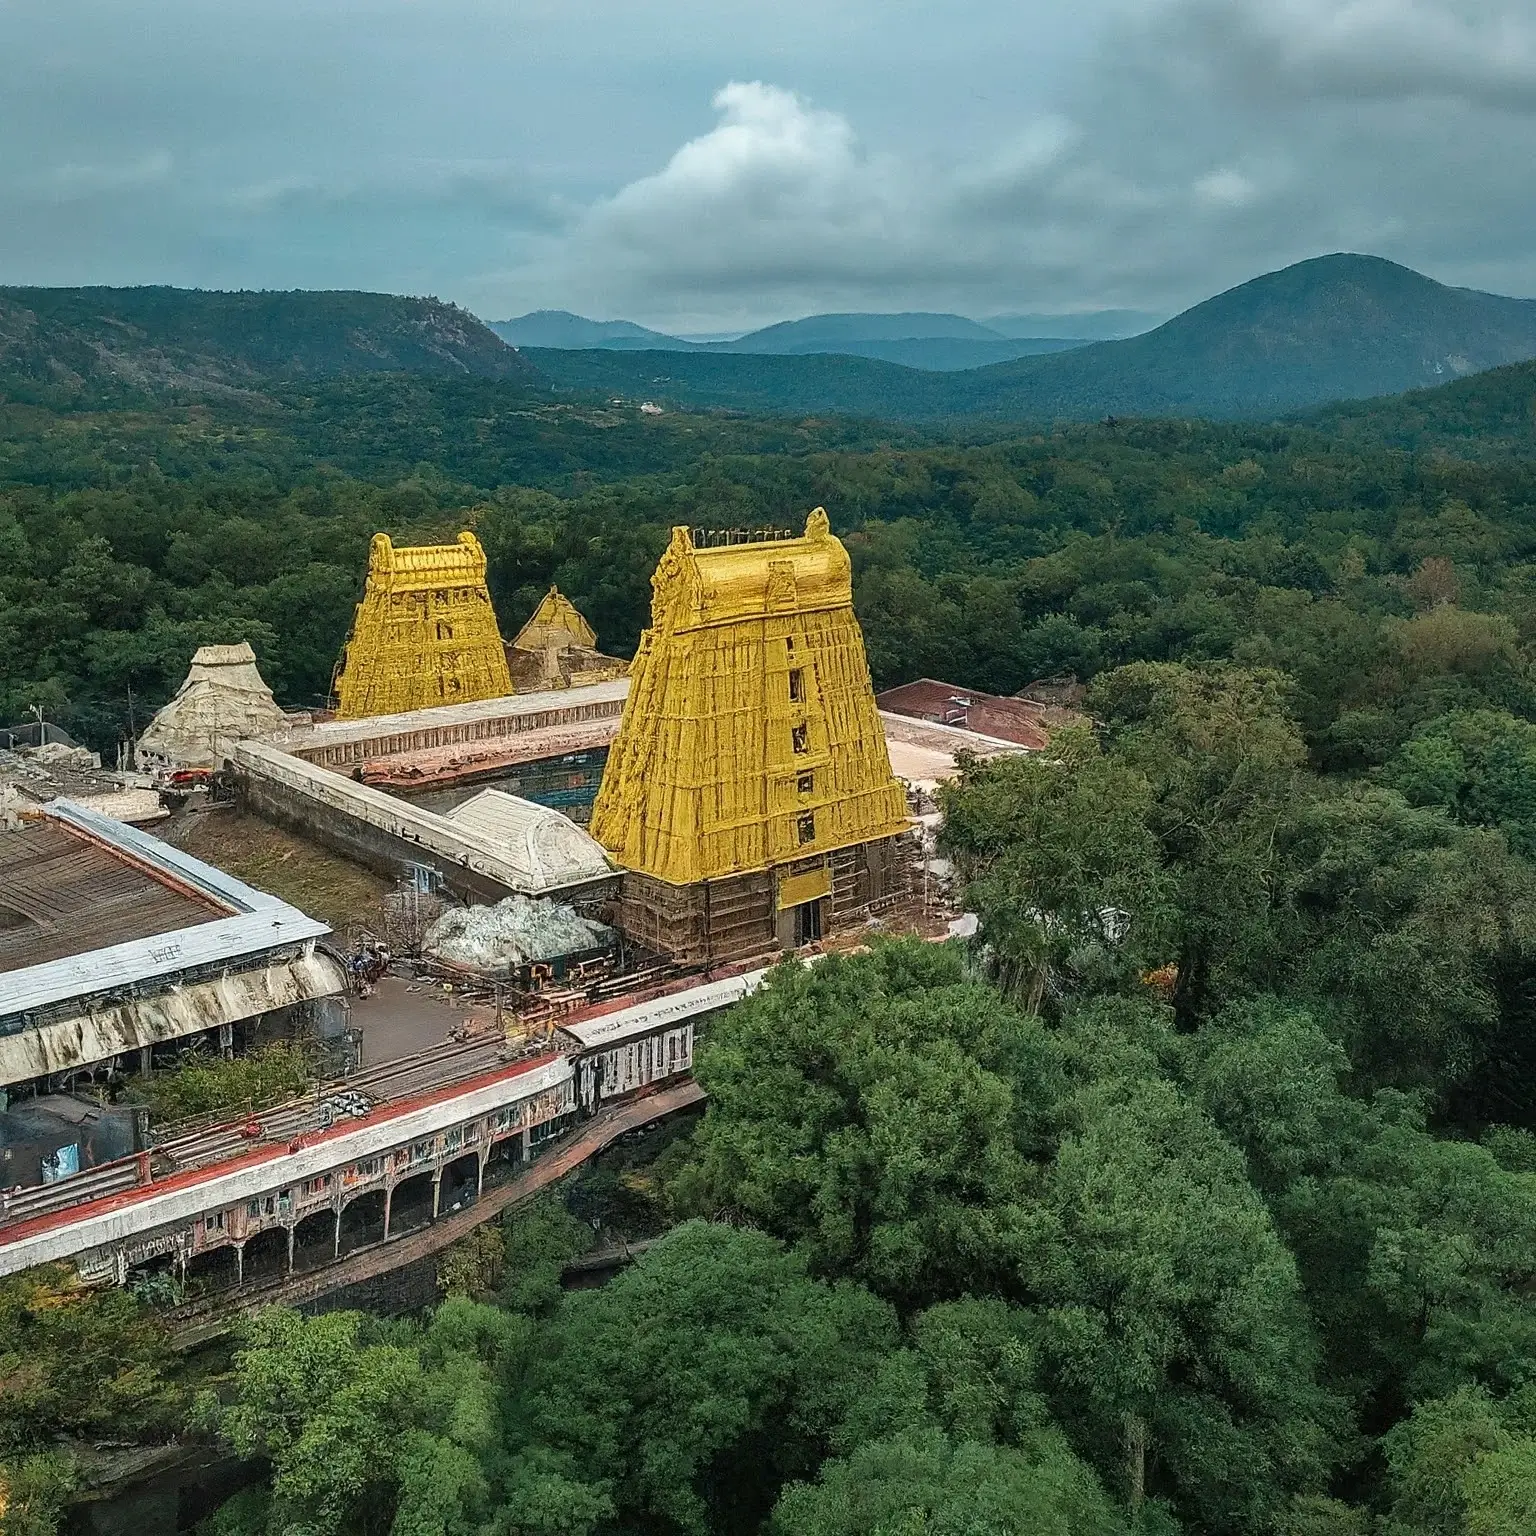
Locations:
{"points": [[1336, 328]]}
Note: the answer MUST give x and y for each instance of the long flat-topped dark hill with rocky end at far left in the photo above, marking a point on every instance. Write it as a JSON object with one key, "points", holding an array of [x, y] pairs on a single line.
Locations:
{"points": [[96, 342]]}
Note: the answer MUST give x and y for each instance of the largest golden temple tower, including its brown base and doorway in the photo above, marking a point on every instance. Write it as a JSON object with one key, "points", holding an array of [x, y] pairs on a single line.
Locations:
{"points": [[749, 795]]}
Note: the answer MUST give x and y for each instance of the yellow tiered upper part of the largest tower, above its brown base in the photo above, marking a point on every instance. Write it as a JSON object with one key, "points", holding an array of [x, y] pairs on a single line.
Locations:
{"points": [[750, 740]]}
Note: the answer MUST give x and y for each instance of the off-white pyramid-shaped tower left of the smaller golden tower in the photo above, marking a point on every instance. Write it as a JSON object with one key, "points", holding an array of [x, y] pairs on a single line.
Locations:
{"points": [[223, 701]]}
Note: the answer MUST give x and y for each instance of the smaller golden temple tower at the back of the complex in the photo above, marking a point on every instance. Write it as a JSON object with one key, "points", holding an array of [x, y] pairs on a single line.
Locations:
{"points": [[423, 635]]}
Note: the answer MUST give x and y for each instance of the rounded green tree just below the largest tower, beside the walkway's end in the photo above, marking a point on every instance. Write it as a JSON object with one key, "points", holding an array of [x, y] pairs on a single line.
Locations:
{"points": [[879, 1113]]}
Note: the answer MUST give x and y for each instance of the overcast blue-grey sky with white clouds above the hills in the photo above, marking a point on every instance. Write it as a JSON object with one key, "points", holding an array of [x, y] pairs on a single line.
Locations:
{"points": [[721, 164]]}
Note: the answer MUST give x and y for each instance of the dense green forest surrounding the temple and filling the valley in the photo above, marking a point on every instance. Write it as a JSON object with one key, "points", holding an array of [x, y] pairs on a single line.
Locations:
{"points": [[1197, 1196]]}
